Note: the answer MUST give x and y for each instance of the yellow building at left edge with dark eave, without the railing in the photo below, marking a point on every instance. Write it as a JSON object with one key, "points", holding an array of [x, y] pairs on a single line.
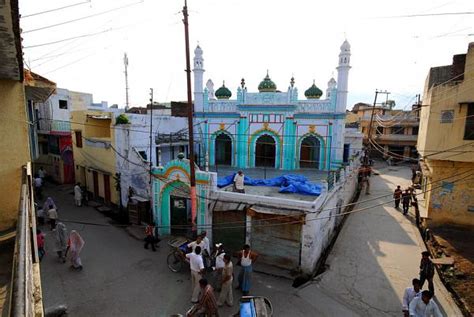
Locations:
{"points": [[14, 141]]}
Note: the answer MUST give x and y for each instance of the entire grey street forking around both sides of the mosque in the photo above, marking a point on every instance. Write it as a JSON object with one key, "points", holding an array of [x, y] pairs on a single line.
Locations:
{"points": [[374, 259]]}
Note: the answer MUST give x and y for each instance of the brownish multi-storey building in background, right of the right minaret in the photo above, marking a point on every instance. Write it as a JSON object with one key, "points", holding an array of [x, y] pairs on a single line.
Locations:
{"points": [[394, 132]]}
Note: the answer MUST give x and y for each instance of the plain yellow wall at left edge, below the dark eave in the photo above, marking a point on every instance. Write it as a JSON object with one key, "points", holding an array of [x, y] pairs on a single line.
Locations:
{"points": [[14, 150]]}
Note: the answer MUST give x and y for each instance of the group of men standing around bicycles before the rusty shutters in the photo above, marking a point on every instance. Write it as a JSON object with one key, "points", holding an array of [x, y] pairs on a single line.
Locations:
{"points": [[203, 295]]}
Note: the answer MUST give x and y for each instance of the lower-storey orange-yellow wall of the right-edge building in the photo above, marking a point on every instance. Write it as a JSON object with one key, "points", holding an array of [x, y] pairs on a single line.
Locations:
{"points": [[449, 196]]}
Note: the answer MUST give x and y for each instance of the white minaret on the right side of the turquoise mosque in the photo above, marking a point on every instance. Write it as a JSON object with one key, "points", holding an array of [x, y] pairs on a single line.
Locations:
{"points": [[343, 76]]}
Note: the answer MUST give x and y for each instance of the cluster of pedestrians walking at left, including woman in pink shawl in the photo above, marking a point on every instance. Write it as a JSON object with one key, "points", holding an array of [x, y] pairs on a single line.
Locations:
{"points": [[65, 243]]}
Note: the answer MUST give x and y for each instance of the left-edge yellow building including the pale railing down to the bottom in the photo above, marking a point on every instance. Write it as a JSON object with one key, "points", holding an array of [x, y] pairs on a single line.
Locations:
{"points": [[20, 290]]}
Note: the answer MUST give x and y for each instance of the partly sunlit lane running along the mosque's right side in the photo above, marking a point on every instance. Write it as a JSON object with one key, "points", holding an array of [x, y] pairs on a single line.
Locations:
{"points": [[376, 255]]}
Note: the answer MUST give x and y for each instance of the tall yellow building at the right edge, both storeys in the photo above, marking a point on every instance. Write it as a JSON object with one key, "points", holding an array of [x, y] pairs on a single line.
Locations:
{"points": [[446, 141]]}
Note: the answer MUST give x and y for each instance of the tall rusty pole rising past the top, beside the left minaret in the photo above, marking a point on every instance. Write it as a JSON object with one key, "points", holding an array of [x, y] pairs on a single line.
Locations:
{"points": [[190, 118]]}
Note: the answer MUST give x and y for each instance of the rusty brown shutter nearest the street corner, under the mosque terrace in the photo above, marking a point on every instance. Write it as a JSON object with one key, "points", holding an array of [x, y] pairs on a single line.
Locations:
{"points": [[280, 246]]}
